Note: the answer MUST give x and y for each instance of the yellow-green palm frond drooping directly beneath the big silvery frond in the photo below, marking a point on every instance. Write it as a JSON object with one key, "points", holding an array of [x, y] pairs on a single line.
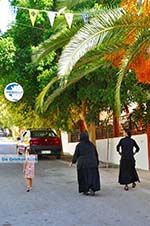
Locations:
{"points": [[89, 63]]}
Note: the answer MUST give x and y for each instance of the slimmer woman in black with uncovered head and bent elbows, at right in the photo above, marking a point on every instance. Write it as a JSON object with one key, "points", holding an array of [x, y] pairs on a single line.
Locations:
{"points": [[129, 148]]}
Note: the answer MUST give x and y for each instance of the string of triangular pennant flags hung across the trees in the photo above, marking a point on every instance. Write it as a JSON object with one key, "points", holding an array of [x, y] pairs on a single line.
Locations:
{"points": [[33, 13]]}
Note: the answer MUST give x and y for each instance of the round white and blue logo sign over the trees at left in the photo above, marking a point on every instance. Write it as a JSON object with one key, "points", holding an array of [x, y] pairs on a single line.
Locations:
{"points": [[13, 92]]}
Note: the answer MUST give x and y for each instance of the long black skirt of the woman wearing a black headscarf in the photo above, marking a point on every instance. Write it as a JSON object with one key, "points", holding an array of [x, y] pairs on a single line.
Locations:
{"points": [[88, 178]]}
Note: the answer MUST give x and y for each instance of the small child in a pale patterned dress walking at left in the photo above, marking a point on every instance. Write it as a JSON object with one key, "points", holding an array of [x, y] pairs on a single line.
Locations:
{"points": [[28, 170]]}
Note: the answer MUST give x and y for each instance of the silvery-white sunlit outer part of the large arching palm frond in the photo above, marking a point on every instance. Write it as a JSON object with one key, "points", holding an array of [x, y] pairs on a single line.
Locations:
{"points": [[87, 38]]}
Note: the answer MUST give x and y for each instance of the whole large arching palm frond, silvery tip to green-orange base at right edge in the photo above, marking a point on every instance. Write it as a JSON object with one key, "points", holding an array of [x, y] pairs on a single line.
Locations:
{"points": [[110, 25]]}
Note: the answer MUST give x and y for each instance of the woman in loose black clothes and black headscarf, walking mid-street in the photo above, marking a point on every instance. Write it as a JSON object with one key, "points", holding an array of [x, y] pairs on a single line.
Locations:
{"points": [[86, 157]]}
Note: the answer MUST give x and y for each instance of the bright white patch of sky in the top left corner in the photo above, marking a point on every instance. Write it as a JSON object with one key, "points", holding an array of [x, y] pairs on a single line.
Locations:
{"points": [[5, 15]]}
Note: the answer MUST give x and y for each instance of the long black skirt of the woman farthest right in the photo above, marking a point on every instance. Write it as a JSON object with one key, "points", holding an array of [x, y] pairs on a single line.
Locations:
{"points": [[128, 173]]}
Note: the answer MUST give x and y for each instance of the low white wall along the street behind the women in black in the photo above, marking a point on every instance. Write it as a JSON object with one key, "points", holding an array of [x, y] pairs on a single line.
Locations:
{"points": [[107, 149]]}
